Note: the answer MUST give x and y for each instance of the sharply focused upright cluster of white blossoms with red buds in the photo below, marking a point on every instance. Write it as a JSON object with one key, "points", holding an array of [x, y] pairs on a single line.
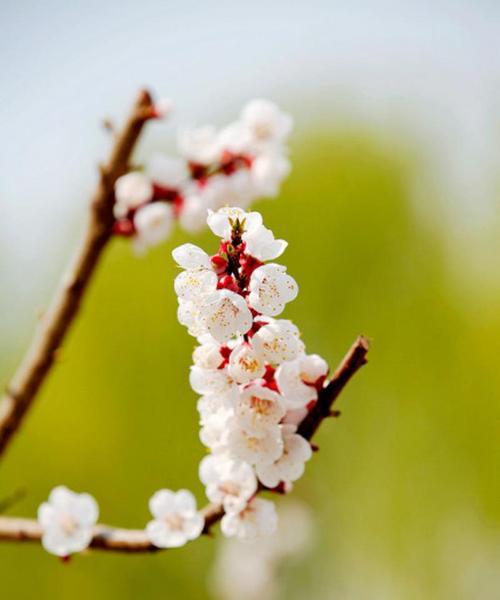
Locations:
{"points": [[251, 370]]}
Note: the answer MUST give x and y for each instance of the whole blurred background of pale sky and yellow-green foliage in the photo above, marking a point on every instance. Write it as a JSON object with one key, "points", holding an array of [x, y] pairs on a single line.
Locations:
{"points": [[391, 213]]}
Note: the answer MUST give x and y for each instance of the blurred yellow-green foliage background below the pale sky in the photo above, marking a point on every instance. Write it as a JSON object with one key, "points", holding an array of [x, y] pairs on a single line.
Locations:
{"points": [[405, 490]]}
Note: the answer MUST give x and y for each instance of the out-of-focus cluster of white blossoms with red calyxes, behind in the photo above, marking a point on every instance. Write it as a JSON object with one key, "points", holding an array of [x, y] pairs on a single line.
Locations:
{"points": [[234, 166]]}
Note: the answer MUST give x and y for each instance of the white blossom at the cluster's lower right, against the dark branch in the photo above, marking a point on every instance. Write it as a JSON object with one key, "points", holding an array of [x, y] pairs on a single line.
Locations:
{"points": [[290, 466]]}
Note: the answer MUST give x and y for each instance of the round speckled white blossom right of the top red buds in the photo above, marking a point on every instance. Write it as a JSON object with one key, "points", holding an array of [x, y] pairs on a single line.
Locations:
{"points": [[270, 289]]}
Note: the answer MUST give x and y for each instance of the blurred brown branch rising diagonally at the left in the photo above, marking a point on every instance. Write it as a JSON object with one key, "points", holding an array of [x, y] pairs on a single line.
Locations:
{"points": [[55, 324]]}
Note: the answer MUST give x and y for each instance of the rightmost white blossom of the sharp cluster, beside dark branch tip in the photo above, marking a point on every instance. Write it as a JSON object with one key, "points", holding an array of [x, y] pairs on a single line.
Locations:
{"points": [[295, 379]]}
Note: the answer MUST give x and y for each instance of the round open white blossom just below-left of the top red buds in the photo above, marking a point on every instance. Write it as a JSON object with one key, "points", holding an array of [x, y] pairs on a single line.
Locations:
{"points": [[226, 314]]}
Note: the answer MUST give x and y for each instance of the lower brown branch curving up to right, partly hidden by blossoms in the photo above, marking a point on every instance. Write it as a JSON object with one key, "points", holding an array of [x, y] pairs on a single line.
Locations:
{"points": [[134, 540]]}
